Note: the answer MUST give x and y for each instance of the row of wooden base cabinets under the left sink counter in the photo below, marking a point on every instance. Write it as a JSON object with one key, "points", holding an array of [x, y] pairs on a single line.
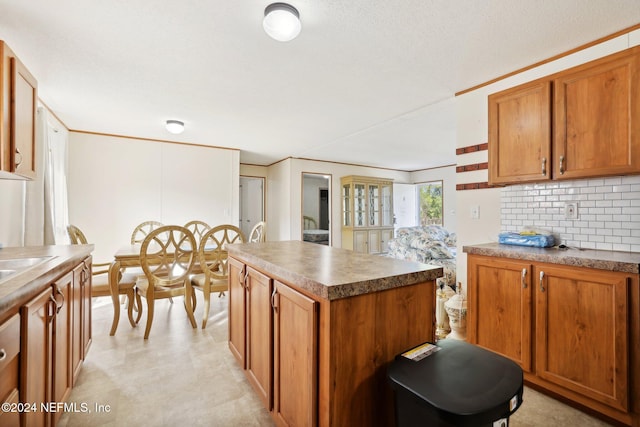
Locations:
{"points": [[44, 343]]}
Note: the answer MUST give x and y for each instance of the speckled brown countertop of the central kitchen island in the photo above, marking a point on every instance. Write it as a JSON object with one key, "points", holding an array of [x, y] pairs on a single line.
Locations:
{"points": [[332, 273]]}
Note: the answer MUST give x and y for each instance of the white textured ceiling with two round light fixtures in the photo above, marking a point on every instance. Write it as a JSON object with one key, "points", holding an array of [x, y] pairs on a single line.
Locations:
{"points": [[369, 82]]}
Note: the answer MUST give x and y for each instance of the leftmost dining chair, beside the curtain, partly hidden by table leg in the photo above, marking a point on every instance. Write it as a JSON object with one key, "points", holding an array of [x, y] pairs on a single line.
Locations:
{"points": [[100, 277]]}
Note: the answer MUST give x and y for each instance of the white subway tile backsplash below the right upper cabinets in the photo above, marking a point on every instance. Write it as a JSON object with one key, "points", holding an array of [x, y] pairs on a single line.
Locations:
{"points": [[608, 211]]}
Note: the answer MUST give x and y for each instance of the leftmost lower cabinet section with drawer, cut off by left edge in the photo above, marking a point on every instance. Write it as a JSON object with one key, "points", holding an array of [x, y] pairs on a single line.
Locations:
{"points": [[10, 369]]}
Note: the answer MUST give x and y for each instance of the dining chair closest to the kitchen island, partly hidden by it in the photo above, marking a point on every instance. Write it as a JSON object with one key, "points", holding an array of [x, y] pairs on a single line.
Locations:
{"points": [[212, 256]]}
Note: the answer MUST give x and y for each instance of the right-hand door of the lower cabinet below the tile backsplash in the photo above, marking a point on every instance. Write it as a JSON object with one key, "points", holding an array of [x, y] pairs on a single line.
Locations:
{"points": [[581, 332]]}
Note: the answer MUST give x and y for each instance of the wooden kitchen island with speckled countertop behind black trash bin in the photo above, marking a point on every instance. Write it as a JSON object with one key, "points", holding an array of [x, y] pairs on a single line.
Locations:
{"points": [[315, 328]]}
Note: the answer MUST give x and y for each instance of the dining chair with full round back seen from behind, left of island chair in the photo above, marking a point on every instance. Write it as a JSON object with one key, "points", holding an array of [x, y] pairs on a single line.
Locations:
{"points": [[167, 255]]}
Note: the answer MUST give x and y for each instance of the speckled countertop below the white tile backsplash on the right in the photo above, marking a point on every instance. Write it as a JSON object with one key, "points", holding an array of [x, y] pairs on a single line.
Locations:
{"points": [[626, 262]]}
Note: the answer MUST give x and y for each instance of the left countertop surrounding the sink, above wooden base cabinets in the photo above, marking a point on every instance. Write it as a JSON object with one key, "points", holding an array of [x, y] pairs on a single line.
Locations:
{"points": [[19, 288]]}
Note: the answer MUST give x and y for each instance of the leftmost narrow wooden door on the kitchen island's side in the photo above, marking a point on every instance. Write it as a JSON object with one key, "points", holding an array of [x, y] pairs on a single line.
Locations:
{"points": [[237, 315]]}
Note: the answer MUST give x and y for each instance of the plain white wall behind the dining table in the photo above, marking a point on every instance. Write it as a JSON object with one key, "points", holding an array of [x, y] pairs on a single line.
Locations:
{"points": [[116, 183]]}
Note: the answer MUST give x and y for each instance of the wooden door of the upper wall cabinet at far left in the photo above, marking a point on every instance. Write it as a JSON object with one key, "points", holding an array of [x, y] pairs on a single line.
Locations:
{"points": [[23, 125]]}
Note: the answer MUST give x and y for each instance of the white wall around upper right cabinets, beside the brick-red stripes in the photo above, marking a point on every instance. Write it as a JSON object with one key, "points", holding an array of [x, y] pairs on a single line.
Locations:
{"points": [[472, 125]]}
